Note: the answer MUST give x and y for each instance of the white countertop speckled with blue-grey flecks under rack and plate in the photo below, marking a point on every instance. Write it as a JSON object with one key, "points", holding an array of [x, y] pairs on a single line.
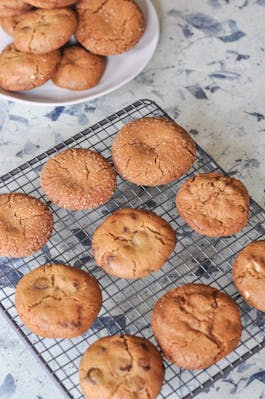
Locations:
{"points": [[208, 74]]}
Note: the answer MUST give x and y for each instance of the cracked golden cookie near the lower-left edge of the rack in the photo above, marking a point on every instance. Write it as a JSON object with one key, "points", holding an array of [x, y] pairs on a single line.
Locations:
{"points": [[58, 301]]}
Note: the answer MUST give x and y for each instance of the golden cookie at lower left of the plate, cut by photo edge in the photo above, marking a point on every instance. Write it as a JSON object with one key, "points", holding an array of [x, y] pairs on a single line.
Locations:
{"points": [[23, 71]]}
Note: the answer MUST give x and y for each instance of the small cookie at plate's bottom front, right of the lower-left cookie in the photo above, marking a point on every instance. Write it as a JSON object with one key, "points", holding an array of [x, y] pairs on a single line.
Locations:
{"points": [[79, 69]]}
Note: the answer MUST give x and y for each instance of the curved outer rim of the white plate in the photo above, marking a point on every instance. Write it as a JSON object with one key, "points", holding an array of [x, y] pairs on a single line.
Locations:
{"points": [[155, 39]]}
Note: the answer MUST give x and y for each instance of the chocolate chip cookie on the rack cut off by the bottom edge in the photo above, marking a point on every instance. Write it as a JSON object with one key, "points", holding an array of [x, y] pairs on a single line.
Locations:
{"points": [[127, 367]]}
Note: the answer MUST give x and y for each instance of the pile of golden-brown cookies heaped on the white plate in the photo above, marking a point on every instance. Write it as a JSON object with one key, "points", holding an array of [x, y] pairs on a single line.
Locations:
{"points": [[42, 48]]}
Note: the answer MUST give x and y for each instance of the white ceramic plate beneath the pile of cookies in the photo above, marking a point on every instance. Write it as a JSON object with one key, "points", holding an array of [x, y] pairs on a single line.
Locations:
{"points": [[119, 71]]}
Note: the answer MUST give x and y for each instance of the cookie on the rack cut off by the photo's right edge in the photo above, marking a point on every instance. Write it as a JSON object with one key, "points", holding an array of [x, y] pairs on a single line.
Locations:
{"points": [[249, 274]]}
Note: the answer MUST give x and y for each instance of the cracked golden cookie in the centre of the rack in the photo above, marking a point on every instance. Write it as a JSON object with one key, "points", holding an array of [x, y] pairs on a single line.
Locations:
{"points": [[132, 243]]}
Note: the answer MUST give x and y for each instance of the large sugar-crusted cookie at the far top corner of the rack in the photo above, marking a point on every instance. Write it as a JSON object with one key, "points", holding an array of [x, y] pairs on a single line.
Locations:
{"points": [[152, 151]]}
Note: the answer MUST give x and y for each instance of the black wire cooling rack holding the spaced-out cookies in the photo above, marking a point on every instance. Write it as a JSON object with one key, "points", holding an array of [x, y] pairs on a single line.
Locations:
{"points": [[127, 304]]}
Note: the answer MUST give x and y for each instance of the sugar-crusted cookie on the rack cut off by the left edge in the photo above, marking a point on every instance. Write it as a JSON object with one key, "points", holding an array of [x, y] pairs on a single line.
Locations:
{"points": [[26, 225]]}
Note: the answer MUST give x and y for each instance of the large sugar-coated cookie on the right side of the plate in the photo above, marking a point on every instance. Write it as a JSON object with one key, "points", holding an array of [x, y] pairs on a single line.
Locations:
{"points": [[109, 27]]}
